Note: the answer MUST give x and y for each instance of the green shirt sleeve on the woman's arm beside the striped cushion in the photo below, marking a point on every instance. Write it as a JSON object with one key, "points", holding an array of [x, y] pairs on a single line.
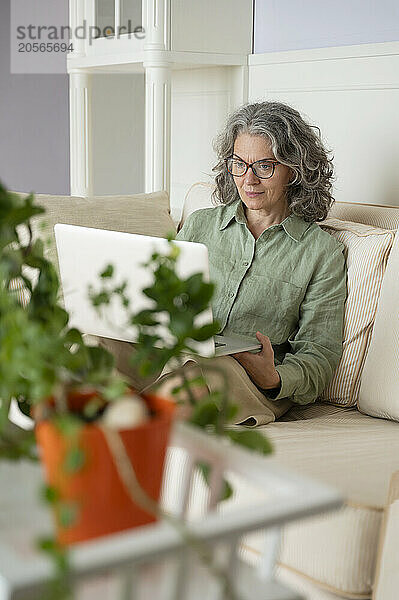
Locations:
{"points": [[316, 345]]}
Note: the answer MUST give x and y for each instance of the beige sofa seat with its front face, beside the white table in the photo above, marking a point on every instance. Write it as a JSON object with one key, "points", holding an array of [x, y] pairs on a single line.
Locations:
{"points": [[355, 454]]}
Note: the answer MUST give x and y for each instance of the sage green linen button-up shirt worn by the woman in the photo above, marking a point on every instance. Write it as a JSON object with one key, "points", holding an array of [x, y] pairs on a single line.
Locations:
{"points": [[289, 284]]}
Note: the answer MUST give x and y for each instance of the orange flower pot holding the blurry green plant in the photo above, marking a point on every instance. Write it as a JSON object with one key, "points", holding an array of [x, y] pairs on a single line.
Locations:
{"points": [[103, 503]]}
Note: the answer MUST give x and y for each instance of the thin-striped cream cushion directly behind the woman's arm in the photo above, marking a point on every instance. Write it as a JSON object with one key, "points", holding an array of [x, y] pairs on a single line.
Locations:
{"points": [[367, 250]]}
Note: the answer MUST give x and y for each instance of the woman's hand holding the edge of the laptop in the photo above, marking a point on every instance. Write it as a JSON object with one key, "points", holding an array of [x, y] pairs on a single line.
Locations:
{"points": [[260, 366]]}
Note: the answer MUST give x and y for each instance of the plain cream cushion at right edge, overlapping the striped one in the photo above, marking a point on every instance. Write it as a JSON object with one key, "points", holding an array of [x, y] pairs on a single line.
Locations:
{"points": [[379, 392]]}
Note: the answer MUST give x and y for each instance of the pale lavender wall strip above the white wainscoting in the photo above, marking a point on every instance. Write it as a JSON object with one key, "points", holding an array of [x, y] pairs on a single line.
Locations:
{"points": [[300, 24]]}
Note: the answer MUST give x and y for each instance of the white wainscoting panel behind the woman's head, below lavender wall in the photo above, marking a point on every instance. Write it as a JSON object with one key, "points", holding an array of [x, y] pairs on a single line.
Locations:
{"points": [[352, 94]]}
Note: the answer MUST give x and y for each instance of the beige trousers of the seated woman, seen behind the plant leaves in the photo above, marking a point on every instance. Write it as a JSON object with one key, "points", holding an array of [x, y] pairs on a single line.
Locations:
{"points": [[254, 409]]}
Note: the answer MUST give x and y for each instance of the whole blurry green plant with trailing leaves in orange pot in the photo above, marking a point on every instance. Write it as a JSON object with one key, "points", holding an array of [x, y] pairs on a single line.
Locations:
{"points": [[70, 388]]}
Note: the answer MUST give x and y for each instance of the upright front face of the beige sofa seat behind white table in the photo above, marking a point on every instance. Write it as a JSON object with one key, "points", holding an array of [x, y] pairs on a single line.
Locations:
{"points": [[336, 551]]}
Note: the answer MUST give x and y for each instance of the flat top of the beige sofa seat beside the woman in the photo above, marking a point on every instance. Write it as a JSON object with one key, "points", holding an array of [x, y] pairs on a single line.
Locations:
{"points": [[341, 447]]}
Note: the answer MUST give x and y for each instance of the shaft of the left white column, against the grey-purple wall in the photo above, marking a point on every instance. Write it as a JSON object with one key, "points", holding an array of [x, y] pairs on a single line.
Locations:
{"points": [[80, 133]]}
